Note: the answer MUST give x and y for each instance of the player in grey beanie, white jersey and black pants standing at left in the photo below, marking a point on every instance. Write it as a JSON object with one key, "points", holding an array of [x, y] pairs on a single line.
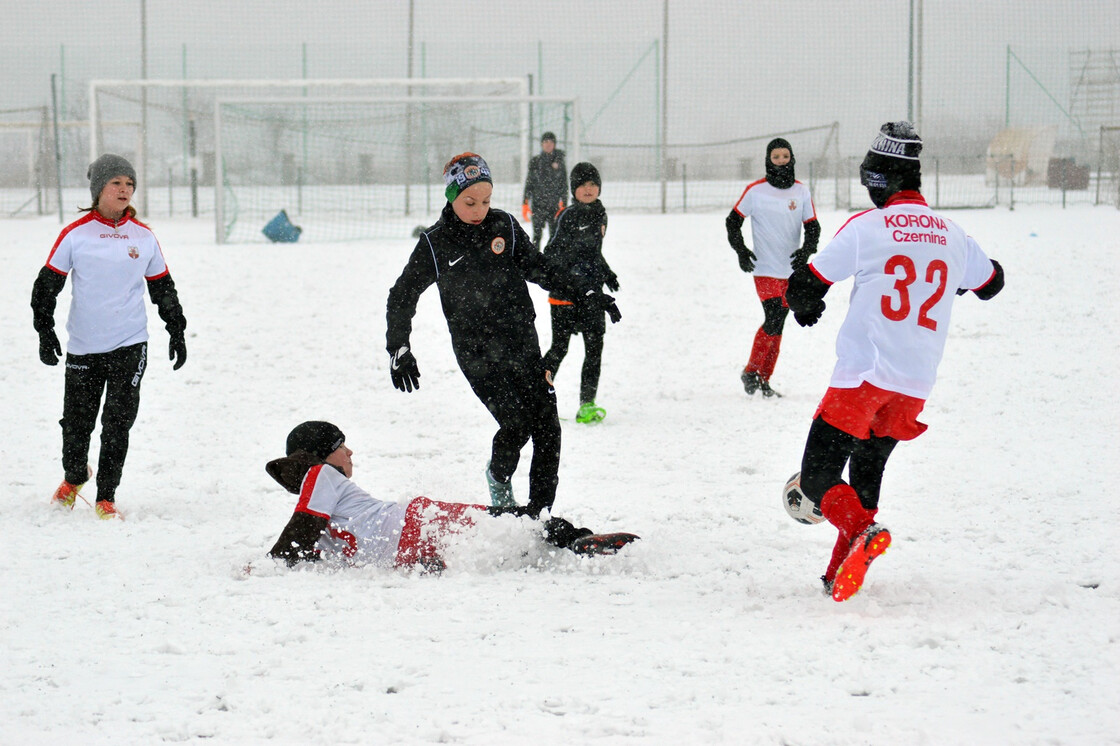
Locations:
{"points": [[110, 258]]}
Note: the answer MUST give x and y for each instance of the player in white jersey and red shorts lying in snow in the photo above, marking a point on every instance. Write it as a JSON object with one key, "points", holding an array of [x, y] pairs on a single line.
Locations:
{"points": [[335, 518]]}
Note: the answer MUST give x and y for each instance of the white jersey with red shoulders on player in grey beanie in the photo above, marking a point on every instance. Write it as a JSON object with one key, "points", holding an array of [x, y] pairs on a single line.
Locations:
{"points": [[108, 265]]}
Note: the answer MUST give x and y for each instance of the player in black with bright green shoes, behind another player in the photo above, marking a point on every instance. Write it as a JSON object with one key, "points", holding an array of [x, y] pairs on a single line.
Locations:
{"points": [[578, 247]]}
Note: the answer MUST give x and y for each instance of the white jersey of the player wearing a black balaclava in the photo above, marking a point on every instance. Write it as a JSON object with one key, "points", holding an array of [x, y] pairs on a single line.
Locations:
{"points": [[777, 217]]}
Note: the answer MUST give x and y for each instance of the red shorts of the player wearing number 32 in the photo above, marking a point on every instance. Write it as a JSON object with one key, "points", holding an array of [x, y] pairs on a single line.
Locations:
{"points": [[870, 411]]}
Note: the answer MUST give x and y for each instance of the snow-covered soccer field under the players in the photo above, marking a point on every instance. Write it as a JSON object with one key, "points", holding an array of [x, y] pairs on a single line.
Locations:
{"points": [[995, 618]]}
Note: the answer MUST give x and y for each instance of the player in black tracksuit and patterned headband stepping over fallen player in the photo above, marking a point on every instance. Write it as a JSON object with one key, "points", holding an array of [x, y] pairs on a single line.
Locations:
{"points": [[482, 260]]}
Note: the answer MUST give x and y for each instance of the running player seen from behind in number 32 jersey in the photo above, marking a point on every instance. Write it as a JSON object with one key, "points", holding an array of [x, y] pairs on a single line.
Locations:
{"points": [[909, 266]]}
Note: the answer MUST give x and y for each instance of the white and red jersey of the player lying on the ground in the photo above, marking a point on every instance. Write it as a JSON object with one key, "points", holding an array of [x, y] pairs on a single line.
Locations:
{"points": [[360, 526]]}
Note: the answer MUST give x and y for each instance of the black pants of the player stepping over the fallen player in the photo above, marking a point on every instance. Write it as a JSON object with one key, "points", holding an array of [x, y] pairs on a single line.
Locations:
{"points": [[526, 408]]}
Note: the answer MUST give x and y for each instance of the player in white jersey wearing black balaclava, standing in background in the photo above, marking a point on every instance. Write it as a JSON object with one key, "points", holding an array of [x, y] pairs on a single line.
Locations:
{"points": [[778, 207]]}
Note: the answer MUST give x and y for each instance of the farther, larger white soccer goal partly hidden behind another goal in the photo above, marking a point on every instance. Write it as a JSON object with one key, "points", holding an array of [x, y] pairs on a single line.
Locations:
{"points": [[165, 127]]}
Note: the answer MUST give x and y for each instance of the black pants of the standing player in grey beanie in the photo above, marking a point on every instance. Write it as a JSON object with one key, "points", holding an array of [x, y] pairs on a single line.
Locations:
{"points": [[118, 374]]}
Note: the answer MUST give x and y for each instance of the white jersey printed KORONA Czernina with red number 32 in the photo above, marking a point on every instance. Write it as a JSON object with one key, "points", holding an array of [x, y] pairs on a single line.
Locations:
{"points": [[908, 264]]}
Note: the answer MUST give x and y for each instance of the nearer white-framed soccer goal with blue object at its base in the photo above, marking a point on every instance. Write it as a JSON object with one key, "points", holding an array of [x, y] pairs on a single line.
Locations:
{"points": [[369, 167]]}
